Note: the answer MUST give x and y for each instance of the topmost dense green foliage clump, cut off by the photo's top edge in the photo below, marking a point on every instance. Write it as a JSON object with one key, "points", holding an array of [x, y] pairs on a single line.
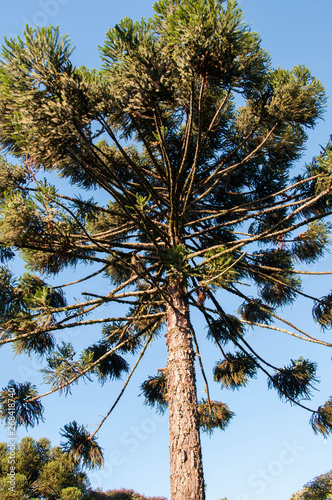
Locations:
{"points": [[213, 41]]}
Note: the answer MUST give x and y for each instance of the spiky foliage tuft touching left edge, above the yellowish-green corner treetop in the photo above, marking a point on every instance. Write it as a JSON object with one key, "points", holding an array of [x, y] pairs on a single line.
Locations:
{"points": [[20, 405]]}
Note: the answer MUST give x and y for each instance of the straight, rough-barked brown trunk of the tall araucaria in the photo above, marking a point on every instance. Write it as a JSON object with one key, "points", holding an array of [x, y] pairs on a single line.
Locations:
{"points": [[187, 481]]}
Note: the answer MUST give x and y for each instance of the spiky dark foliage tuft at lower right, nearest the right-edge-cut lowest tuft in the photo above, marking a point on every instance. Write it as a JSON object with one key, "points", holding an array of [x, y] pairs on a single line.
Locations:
{"points": [[295, 380]]}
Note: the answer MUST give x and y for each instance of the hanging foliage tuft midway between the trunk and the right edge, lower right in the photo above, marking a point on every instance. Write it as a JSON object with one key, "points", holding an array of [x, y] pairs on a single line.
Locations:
{"points": [[235, 370]]}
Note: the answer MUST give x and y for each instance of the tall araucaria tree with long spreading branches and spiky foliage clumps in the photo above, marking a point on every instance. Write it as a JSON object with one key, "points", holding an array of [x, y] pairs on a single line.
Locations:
{"points": [[189, 136]]}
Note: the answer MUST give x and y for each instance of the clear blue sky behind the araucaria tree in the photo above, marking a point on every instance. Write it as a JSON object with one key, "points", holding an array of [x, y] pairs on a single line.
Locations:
{"points": [[269, 450]]}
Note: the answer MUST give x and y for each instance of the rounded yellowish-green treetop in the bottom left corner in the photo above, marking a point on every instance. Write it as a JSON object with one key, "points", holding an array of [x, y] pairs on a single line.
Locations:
{"points": [[40, 471]]}
